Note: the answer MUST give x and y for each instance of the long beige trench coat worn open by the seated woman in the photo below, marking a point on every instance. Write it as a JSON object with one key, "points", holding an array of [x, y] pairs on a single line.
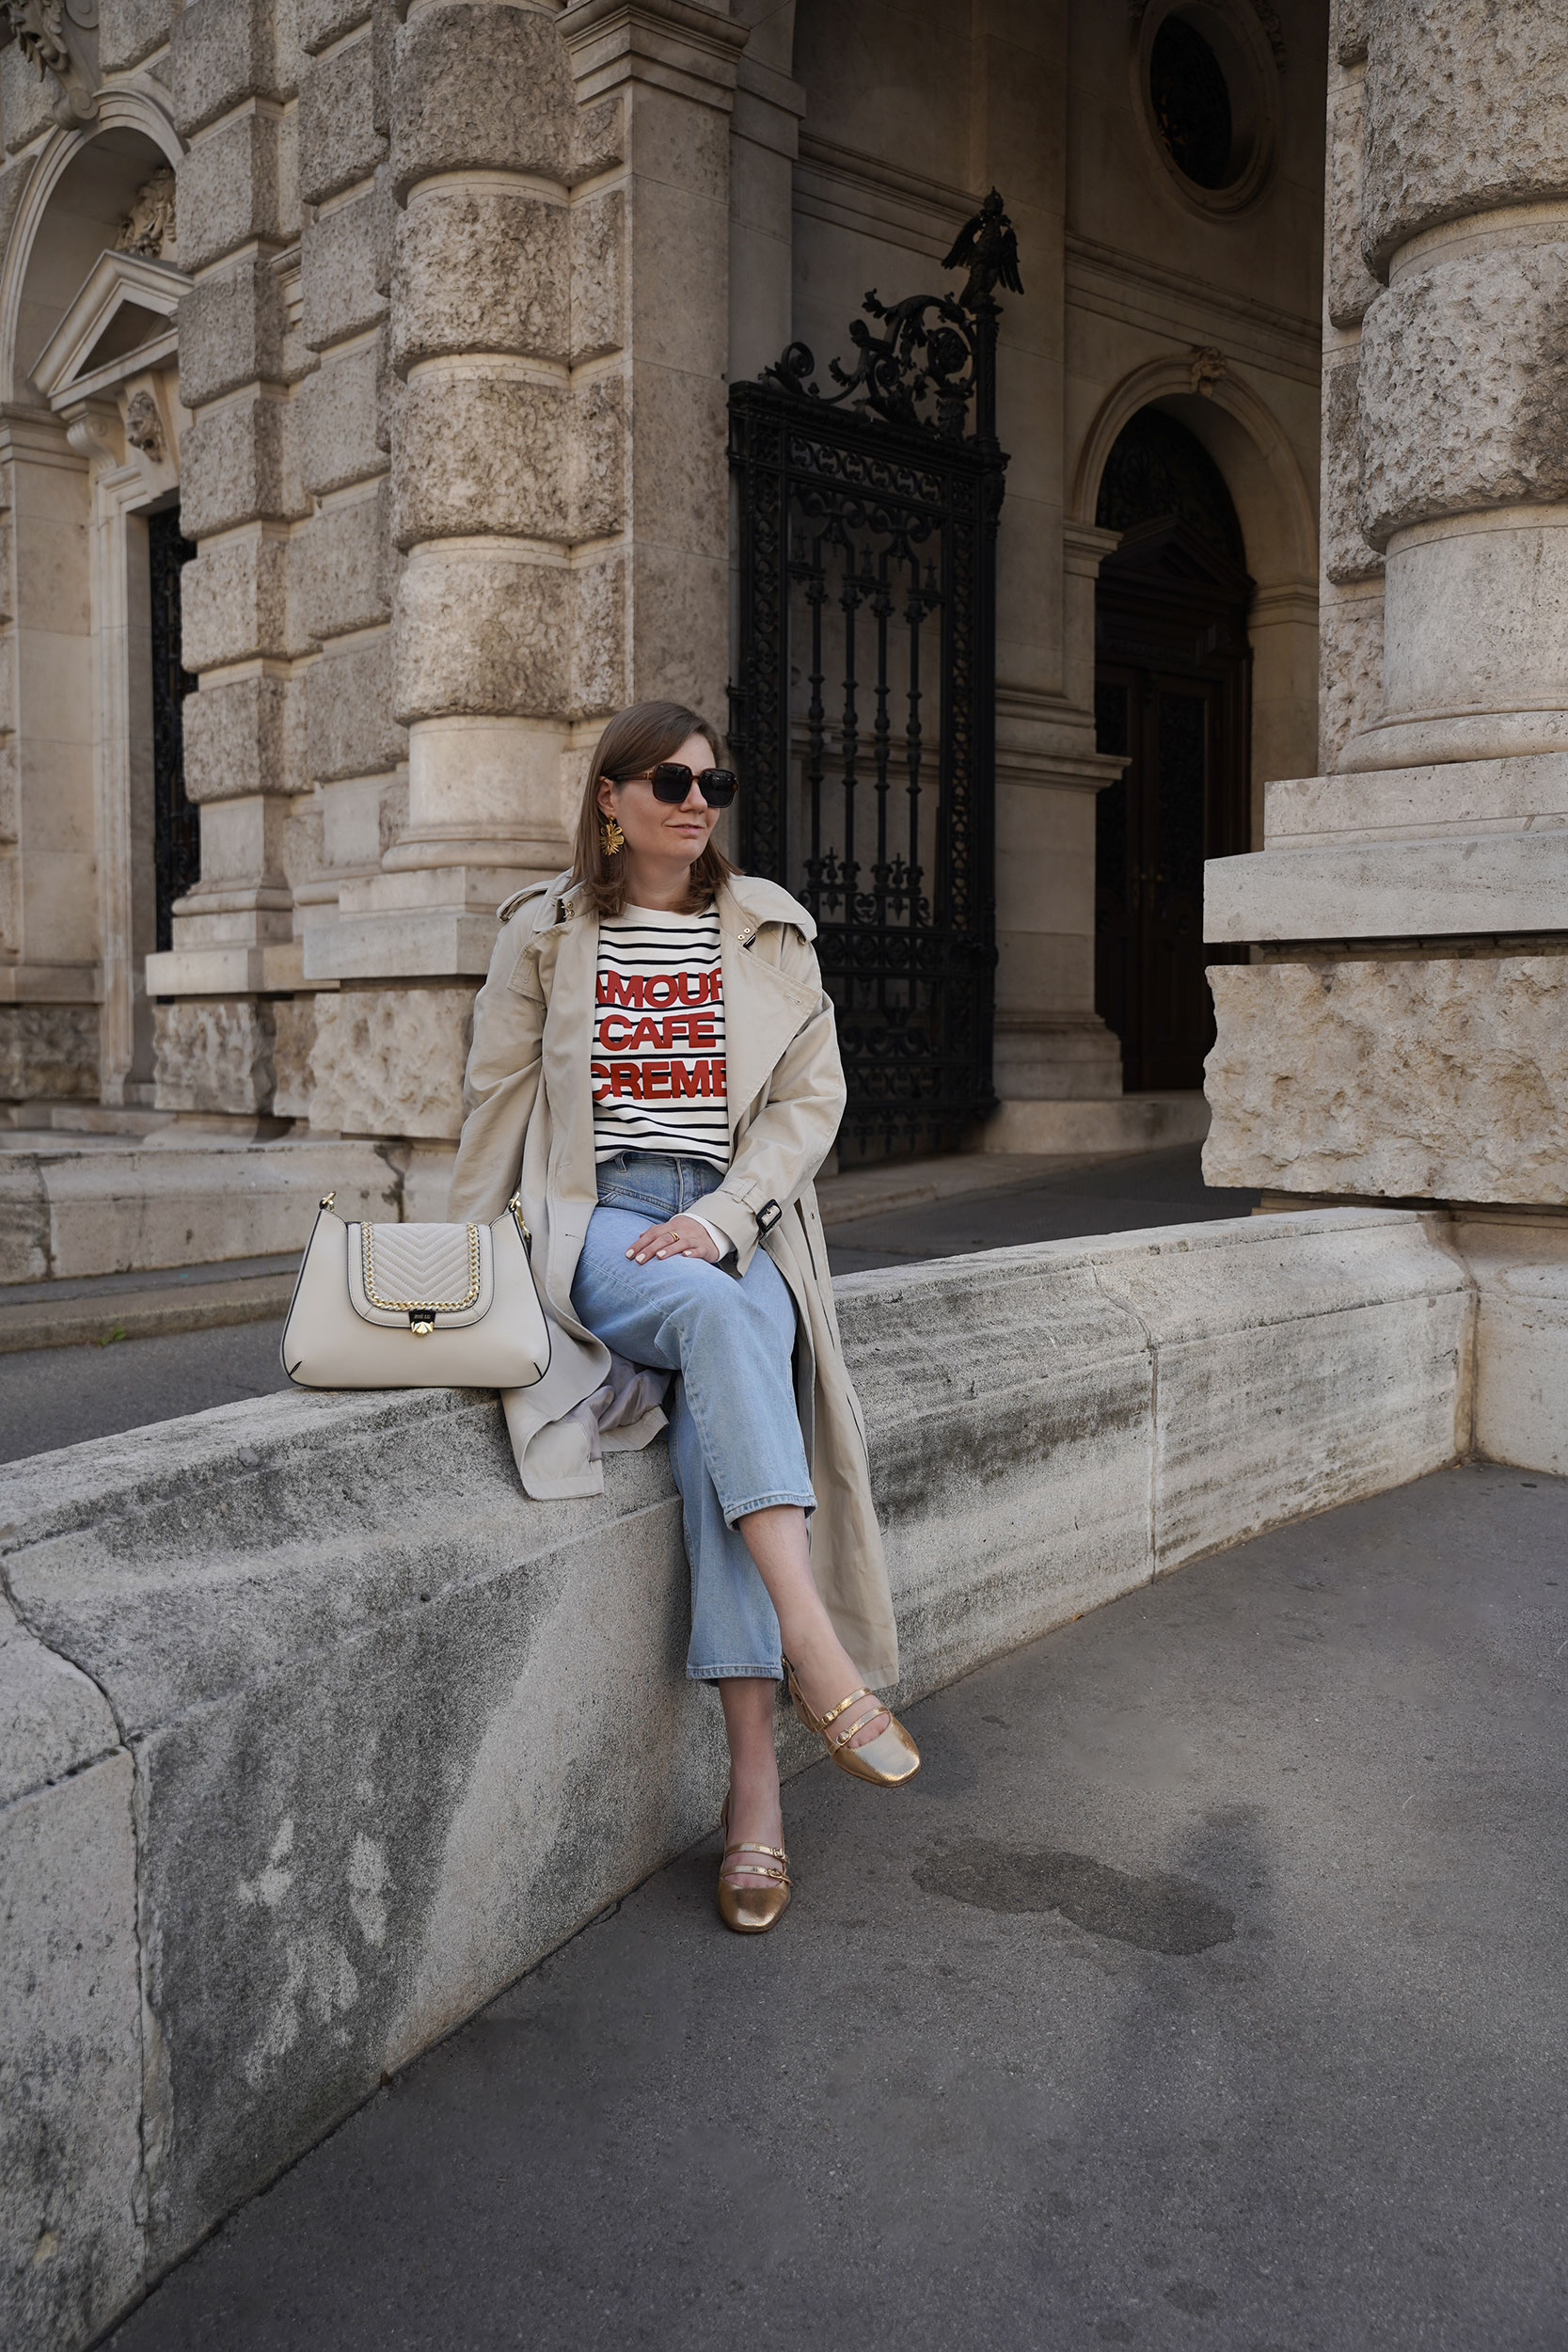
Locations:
{"points": [[530, 1114]]}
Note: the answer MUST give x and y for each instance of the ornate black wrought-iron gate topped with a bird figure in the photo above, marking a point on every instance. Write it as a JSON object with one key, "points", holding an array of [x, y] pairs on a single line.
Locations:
{"points": [[864, 714]]}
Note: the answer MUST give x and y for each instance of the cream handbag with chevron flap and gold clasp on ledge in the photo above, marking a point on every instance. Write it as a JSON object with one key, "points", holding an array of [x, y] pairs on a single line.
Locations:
{"points": [[415, 1307]]}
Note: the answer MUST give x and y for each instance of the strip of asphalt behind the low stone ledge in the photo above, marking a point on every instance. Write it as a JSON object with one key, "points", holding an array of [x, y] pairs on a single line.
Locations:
{"points": [[98, 1389]]}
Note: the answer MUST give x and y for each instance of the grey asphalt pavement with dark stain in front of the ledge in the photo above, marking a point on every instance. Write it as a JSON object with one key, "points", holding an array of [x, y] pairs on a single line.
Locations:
{"points": [[1209, 1989]]}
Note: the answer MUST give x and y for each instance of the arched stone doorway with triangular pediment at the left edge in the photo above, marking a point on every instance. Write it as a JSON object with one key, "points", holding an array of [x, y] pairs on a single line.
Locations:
{"points": [[88, 354]]}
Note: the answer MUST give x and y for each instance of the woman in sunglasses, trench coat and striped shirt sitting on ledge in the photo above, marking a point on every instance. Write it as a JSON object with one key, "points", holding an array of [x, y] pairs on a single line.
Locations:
{"points": [[655, 1053]]}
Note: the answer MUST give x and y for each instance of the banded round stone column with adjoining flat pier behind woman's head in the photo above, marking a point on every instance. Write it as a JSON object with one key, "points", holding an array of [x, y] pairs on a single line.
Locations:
{"points": [[561, 267]]}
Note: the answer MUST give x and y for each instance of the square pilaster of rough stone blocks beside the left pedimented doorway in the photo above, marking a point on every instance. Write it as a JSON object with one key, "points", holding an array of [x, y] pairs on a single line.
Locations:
{"points": [[234, 81]]}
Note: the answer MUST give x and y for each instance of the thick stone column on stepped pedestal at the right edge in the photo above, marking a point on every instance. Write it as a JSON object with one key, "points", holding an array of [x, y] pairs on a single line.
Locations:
{"points": [[1402, 1031]]}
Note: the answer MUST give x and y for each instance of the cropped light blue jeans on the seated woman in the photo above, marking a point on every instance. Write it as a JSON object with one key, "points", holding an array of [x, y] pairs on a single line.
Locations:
{"points": [[735, 1429]]}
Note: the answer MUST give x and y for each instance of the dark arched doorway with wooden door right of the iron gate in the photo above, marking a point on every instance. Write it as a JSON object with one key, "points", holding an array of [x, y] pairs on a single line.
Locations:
{"points": [[1174, 702]]}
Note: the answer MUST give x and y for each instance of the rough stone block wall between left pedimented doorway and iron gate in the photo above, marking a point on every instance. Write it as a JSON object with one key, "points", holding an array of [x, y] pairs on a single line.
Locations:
{"points": [[431, 559]]}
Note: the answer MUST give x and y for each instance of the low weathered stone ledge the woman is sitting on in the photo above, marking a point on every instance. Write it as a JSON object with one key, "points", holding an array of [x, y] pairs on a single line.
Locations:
{"points": [[396, 1730]]}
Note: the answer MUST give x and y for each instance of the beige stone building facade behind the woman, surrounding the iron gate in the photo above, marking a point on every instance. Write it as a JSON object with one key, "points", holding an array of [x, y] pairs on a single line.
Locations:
{"points": [[427, 314]]}
